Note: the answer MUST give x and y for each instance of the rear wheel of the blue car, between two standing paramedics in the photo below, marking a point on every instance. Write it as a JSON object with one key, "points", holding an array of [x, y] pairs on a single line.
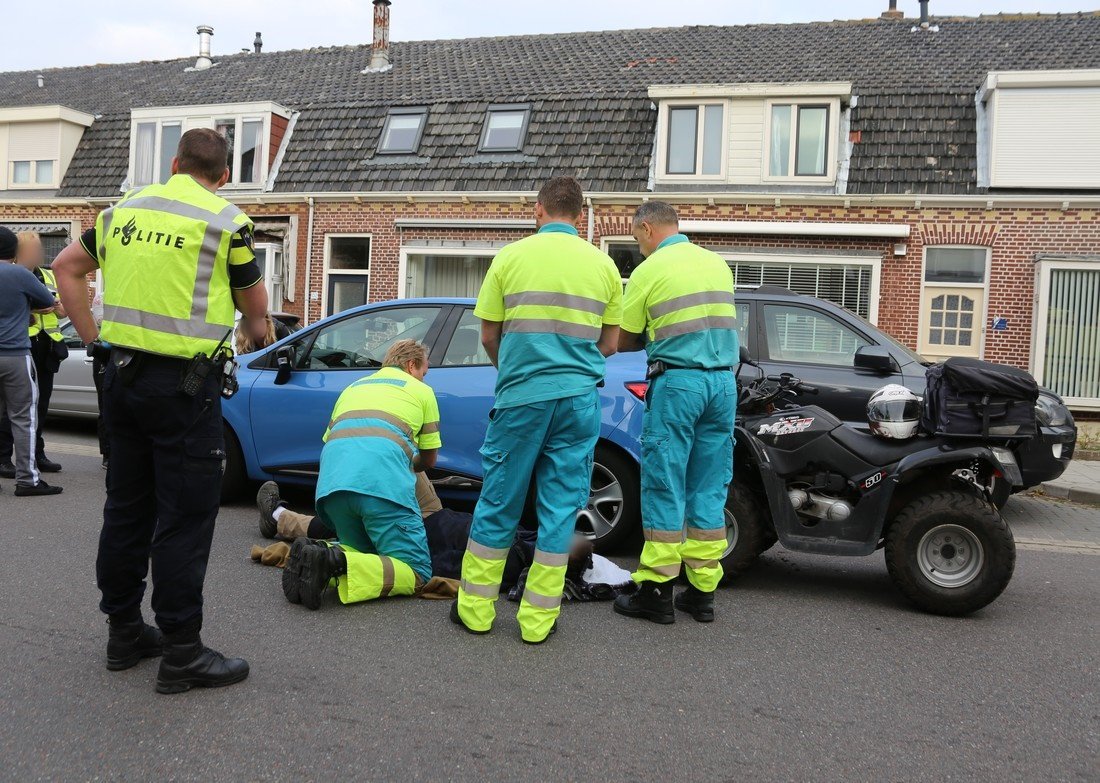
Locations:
{"points": [[614, 509]]}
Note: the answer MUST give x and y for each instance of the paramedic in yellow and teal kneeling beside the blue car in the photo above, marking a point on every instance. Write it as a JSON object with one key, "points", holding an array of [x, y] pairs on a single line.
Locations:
{"points": [[381, 426]]}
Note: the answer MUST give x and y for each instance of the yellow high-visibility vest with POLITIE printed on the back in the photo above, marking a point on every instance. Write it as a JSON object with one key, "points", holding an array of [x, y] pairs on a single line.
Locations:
{"points": [[164, 251]]}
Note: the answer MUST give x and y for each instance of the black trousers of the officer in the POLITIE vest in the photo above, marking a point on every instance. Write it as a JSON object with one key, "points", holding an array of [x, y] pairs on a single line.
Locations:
{"points": [[163, 491]]}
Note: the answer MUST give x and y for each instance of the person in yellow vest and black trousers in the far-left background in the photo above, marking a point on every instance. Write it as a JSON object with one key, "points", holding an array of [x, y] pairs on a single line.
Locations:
{"points": [[48, 349]]}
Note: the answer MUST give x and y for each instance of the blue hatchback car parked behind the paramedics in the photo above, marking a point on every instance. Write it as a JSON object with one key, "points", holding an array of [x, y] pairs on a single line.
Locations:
{"points": [[288, 392]]}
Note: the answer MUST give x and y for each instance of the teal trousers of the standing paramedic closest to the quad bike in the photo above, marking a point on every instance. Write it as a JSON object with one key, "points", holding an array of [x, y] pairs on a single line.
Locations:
{"points": [[687, 466]]}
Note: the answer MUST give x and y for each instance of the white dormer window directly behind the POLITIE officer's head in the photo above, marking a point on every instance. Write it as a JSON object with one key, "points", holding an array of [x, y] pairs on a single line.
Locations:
{"points": [[255, 133]]}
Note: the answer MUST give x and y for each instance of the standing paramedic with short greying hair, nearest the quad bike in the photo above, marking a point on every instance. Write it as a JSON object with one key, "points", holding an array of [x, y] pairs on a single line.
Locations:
{"points": [[679, 306]]}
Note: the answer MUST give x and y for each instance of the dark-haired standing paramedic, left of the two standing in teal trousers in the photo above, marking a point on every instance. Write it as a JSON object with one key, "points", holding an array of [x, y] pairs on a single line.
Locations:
{"points": [[551, 308]]}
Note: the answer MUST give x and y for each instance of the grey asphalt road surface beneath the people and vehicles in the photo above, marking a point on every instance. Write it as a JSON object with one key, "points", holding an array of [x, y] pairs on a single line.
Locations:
{"points": [[815, 670]]}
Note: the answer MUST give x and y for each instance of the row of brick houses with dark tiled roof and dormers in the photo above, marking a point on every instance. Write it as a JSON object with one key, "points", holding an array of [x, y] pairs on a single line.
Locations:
{"points": [[908, 163]]}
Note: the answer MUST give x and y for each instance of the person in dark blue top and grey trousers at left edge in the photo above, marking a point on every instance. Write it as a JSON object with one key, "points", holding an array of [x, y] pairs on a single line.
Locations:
{"points": [[20, 294]]}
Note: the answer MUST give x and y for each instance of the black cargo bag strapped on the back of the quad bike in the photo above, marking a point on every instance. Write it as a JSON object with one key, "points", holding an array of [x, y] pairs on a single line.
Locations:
{"points": [[969, 398]]}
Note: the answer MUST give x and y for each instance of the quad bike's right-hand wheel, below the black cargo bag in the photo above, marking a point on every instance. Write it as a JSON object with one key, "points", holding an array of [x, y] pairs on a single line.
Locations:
{"points": [[951, 553]]}
